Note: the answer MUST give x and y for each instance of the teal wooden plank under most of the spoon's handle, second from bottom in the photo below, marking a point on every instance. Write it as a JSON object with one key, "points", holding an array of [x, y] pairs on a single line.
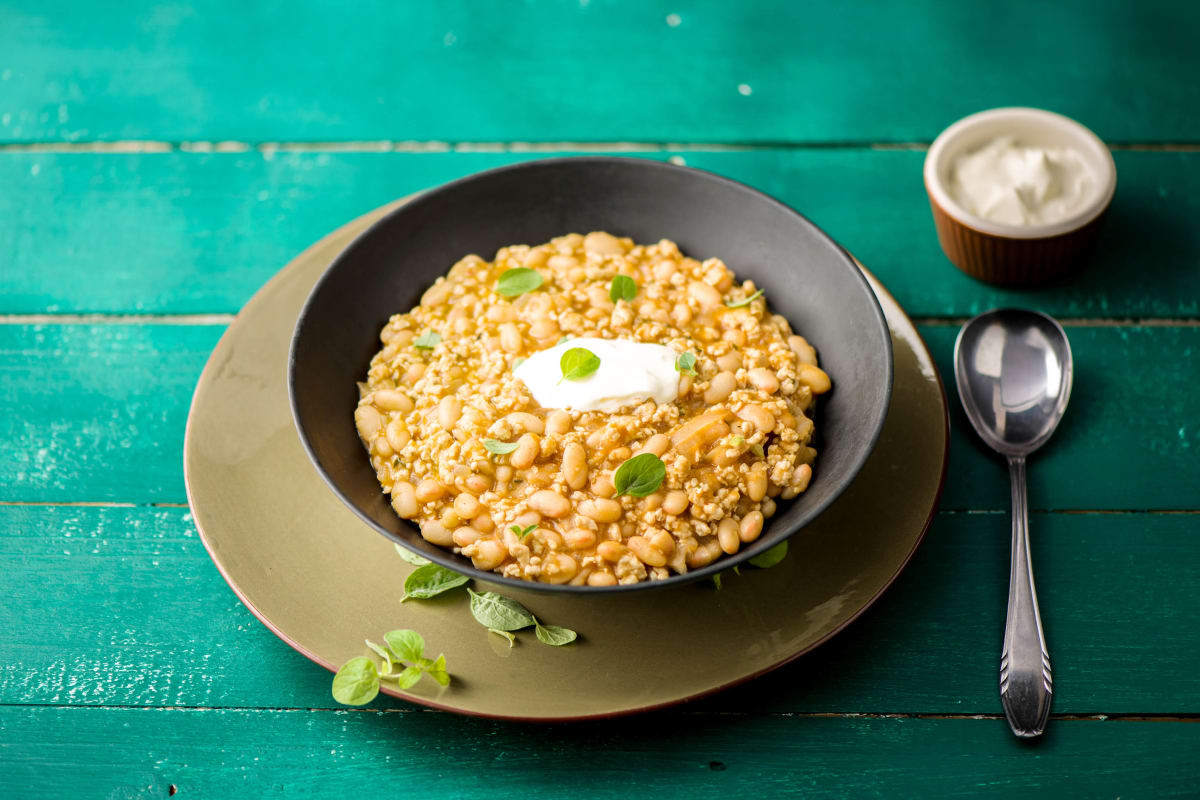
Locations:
{"points": [[142, 618]]}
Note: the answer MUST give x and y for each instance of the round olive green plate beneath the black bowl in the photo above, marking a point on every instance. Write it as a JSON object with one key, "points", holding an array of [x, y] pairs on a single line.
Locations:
{"points": [[322, 581]]}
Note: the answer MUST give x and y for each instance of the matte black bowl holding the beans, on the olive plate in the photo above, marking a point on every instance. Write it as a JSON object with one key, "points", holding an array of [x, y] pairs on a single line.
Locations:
{"points": [[807, 276]]}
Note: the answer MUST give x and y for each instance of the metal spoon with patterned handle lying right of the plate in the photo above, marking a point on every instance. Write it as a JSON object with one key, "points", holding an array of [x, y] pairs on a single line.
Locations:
{"points": [[1013, 369]]}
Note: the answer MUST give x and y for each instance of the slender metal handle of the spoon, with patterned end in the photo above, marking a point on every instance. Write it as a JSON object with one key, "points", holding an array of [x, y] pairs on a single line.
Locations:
{"points": [[1025, 684]]}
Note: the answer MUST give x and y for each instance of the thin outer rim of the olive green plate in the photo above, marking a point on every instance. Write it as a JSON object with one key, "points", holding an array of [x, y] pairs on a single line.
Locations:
{"points": [[383, 210]]}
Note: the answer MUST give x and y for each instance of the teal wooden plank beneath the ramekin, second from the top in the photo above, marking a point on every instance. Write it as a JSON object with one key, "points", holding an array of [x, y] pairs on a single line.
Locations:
{"points": [[195, 233]]}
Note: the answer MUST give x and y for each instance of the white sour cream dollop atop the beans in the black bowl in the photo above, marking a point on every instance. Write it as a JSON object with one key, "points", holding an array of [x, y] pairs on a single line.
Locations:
{"points": [[631, 374]]}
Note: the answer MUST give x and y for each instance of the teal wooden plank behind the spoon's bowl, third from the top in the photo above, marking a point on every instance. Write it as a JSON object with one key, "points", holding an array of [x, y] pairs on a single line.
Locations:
{"points": [[95, 413]]}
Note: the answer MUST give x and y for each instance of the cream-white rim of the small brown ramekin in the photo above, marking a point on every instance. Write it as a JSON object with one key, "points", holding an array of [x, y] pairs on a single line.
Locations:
{"points": [[940, 194]]}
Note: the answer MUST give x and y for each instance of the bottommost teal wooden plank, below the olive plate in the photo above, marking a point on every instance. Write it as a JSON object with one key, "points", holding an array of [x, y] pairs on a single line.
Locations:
{"points": [[274, 754]]}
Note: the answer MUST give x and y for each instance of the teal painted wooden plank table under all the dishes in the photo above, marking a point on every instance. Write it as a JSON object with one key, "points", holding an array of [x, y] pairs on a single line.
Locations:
{"points": [[159, 163]]}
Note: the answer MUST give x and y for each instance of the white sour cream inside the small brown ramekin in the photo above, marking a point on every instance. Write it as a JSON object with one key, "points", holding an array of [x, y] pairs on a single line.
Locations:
{"points": [[1015, 185]]}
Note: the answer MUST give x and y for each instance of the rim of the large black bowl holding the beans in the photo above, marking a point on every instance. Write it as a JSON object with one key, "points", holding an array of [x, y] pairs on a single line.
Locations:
{"points": [[459, 564]]}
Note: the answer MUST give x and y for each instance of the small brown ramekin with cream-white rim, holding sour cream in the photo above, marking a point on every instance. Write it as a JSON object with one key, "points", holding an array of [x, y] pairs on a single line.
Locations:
{"points": [[1017, 255]]}
